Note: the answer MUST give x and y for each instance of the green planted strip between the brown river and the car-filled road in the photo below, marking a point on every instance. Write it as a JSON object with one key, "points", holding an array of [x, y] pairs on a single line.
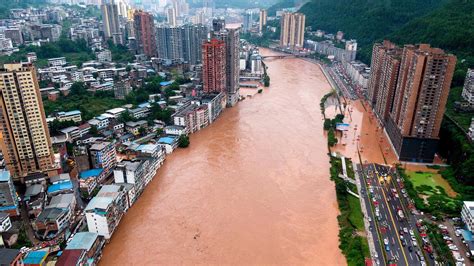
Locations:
{"points": [[352, 240]]}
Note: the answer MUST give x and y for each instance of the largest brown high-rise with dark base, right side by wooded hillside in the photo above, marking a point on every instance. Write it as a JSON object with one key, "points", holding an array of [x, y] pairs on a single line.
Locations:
{"points": [[417, 109]]}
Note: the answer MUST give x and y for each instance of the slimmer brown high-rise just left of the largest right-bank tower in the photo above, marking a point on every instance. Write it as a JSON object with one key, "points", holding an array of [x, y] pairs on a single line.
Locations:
{"points": [[385, 65]]}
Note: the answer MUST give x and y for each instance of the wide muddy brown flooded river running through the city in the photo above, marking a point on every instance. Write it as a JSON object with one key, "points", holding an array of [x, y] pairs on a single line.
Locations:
{"points": [[252, 188]]}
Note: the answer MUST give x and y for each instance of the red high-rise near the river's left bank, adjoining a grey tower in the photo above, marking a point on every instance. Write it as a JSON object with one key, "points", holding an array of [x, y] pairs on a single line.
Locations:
{"points": [[214, 66]]}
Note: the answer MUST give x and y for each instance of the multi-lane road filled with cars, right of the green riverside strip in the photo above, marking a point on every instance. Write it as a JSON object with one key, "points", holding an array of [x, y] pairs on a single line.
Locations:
{"points": [[393, 226]]}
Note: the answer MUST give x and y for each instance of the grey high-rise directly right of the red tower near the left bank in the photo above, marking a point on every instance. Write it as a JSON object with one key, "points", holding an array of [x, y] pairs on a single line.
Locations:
{"points": [[231, 37]]}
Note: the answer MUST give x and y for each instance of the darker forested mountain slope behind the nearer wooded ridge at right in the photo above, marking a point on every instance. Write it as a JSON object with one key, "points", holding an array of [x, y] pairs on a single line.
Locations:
{"points": [[365, 20]]}
